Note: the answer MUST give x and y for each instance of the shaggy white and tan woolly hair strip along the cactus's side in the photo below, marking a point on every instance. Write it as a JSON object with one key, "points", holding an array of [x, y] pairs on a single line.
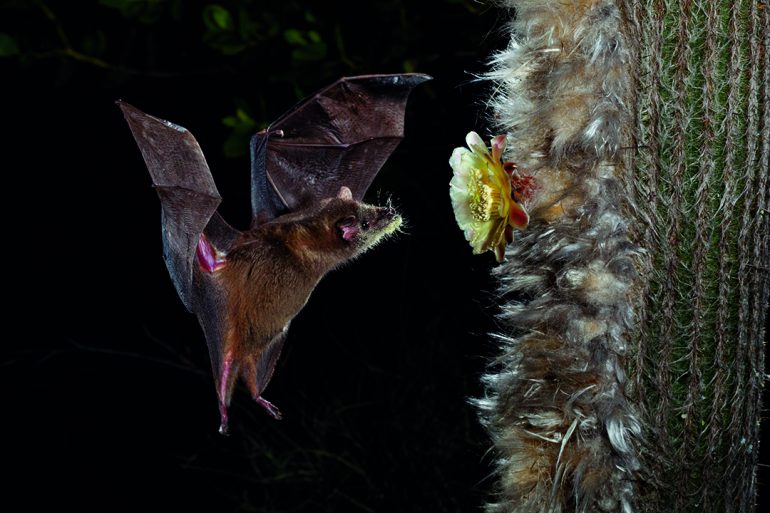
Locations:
{"points": [[556, 403]]}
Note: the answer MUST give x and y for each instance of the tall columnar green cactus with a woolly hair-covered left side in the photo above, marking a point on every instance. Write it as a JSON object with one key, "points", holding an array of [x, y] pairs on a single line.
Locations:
{"points": [[632, 355]]}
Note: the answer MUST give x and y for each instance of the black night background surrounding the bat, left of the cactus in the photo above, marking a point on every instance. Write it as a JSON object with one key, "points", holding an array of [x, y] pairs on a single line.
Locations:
{"points": [[108, 402]]}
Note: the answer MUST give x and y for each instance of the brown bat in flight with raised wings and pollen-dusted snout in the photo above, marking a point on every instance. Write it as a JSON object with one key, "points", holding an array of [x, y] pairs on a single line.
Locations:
{"points": [[309, 172]]}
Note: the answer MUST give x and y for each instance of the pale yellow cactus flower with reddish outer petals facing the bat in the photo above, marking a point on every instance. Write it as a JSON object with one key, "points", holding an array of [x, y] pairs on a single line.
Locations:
{"points": [[486, 195]]}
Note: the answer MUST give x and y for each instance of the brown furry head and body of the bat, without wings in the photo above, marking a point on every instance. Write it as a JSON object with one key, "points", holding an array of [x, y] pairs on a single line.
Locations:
{"points": [[271, 272]]}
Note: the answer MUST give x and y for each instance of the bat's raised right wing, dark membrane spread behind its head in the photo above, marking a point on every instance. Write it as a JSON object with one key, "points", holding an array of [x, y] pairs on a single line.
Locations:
{"points": [[342, 135]]}
